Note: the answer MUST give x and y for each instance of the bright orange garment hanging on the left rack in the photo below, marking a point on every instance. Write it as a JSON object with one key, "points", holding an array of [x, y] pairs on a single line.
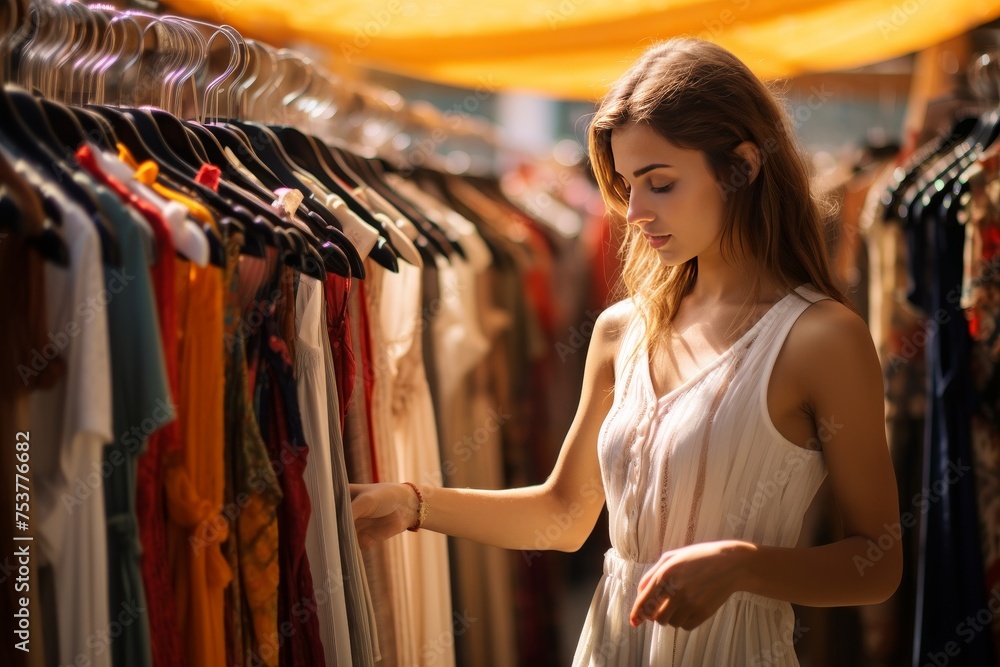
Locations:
{"points": [[195, 475]]}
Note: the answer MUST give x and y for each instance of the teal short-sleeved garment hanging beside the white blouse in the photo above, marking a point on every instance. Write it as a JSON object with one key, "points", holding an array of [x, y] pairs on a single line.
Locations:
{"points": [[141, 404]]}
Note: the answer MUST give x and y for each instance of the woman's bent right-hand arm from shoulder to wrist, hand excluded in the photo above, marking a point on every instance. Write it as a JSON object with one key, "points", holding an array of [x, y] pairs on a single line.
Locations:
{"points": [[841, 379]]}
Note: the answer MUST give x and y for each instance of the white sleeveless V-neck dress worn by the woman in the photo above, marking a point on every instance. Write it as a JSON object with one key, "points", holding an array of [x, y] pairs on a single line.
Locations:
{"points": [[702, 463]]}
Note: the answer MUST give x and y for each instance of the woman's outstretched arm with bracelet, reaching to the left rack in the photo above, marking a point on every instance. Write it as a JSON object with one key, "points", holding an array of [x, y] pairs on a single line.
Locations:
{"points": [[558, 514]]}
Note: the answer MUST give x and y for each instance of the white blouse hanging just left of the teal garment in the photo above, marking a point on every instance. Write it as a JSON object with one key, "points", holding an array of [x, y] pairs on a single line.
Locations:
{"points": [[70, 424]]}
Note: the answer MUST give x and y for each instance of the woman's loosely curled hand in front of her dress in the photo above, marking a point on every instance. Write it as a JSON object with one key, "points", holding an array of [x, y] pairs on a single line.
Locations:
{"points": [[689, 584]]}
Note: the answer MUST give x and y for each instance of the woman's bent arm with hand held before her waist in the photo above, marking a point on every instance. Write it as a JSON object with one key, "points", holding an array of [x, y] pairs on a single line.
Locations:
{"points": [[835, 370]]}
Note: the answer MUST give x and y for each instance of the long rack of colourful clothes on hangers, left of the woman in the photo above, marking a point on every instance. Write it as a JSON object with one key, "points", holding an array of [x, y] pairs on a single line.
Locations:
{"points": [[226, 309]]}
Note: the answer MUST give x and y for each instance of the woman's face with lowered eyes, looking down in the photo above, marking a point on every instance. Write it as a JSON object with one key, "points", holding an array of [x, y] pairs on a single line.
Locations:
{"points": [[674, 198]]}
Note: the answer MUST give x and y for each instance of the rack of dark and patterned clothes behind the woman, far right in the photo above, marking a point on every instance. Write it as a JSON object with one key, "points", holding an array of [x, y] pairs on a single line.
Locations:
{"points": [[927, 275]]}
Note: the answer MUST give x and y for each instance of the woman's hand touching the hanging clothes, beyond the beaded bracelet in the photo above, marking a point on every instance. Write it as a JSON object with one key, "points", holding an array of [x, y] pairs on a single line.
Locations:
{"points": [[382, 510]]}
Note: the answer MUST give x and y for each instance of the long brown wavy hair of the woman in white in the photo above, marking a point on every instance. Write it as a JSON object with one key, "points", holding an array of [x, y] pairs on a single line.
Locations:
{"points": [[699, 96]]}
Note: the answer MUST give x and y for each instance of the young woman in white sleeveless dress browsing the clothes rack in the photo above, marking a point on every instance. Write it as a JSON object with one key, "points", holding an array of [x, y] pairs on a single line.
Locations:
{"points": [[716, 398]]}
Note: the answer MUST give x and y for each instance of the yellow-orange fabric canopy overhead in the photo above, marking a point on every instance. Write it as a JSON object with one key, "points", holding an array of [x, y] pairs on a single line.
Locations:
{"points": [[577, 48]]}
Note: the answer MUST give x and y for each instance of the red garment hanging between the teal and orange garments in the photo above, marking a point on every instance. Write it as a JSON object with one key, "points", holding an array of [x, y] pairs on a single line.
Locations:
{"points": [[150, 511]]}
